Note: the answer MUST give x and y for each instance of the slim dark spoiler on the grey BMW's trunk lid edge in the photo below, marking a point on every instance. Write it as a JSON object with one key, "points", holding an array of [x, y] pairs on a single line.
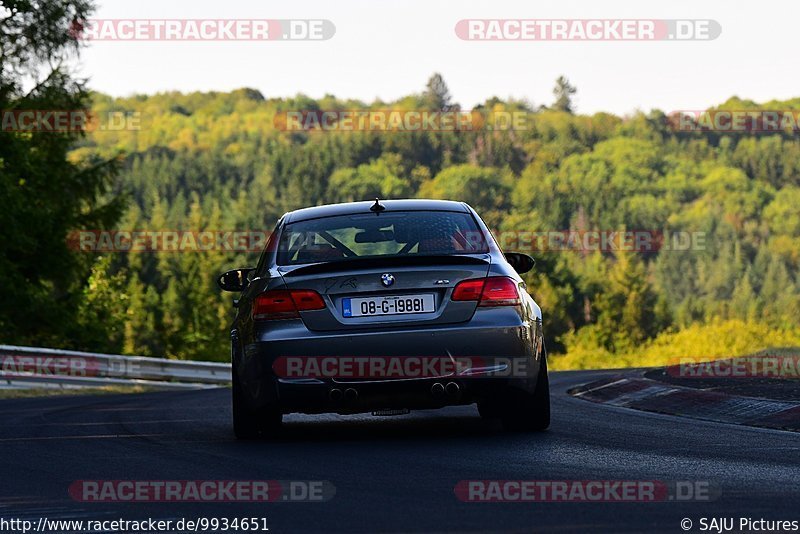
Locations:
{"points": [[388, 263]]}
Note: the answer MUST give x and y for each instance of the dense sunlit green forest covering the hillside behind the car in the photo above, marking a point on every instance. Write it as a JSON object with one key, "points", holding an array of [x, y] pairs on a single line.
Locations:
{"points": [[218, 161]]}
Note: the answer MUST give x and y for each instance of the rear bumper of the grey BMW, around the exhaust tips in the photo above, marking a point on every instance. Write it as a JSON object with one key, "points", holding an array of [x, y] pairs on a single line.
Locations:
{"points": [[507, 348]]}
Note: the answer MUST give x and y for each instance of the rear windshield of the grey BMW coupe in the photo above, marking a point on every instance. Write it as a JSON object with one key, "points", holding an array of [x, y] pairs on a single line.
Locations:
{"points": [[402, 233]]}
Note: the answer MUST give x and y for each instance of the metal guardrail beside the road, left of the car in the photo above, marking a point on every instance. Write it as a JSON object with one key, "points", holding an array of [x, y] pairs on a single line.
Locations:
{"points": [[32, 367]]}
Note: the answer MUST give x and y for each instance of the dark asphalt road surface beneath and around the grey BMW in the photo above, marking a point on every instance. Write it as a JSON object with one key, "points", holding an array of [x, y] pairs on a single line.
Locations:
{"points": [[391, 473]]}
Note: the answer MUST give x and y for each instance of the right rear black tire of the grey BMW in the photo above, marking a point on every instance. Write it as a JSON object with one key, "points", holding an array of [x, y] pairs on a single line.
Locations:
{"points": [[529, 412]]}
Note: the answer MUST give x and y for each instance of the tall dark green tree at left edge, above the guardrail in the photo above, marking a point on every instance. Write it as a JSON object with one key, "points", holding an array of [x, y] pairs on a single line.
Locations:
{"points": [[43, 194]]}
